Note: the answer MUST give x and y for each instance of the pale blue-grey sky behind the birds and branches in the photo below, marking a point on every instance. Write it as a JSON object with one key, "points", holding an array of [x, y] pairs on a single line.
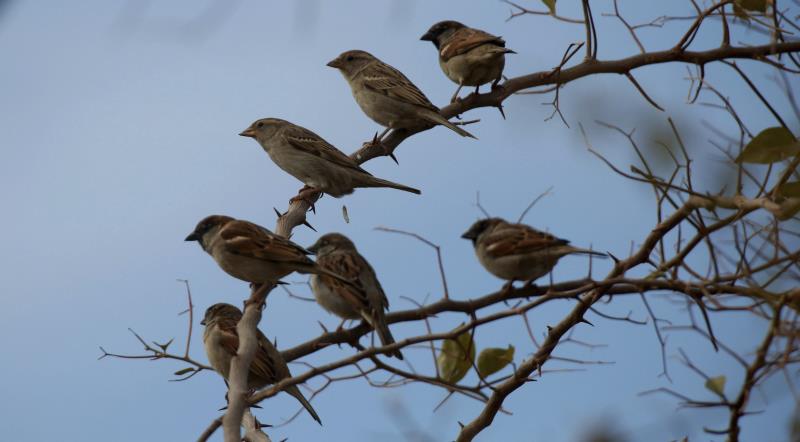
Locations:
{"points": [[119, 132]]}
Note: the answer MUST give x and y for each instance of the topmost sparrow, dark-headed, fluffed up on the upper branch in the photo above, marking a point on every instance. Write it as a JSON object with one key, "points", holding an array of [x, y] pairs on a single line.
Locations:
{"points": [[469, 57]]}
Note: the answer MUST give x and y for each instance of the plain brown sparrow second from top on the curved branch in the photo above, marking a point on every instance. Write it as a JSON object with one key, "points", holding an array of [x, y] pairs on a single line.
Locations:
{"points": [[386, 95]]}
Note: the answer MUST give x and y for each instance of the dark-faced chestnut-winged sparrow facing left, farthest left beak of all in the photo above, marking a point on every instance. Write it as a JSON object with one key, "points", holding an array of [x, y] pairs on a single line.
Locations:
{"points": [[252, 253]]}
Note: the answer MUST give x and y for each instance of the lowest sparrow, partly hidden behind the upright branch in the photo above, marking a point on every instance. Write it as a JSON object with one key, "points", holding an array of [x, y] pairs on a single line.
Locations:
{"points": [[221, 342]]}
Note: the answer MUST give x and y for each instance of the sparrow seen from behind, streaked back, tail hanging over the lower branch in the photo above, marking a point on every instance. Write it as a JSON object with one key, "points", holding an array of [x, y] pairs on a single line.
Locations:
{"points": [[363, 299]]}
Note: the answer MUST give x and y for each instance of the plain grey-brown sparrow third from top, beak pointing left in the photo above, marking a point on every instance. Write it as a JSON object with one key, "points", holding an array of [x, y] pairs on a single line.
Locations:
{"points": [[312, 160]]}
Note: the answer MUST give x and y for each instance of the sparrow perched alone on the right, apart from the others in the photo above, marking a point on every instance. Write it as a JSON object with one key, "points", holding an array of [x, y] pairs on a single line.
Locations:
{"points": [[516, 252]]}
